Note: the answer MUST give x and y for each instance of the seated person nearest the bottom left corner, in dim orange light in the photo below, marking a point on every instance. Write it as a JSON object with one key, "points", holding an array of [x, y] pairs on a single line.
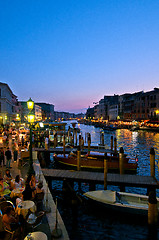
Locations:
{"points": [[10, 219]]}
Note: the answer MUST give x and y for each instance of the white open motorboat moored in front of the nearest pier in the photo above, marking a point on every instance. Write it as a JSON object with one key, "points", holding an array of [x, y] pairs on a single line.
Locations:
{"points": [[121, 201]]}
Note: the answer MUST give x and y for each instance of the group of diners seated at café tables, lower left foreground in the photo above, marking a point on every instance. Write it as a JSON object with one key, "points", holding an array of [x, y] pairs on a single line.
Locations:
{"points": [[31, 189]]}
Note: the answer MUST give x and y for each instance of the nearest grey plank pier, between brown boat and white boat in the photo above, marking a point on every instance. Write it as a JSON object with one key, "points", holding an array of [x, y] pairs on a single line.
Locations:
{"points": [[123, 180]]}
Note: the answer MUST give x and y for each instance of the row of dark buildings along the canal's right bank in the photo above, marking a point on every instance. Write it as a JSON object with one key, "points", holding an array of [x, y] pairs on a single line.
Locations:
{"points": [[129, 106]]}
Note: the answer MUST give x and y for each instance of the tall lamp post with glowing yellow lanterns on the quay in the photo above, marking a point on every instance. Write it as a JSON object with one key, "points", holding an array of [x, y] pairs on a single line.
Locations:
{"points": [[31, 116]]}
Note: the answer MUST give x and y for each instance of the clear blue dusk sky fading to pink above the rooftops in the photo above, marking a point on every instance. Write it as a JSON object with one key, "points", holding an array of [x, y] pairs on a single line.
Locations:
{"points": [[71, 53]]}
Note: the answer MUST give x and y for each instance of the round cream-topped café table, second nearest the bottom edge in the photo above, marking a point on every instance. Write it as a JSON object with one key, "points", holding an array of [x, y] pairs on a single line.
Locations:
{"points": [[24, 206]]}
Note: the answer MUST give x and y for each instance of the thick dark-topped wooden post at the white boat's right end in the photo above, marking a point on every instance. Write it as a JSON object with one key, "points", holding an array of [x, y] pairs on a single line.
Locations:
{"points": [[152, 209]]}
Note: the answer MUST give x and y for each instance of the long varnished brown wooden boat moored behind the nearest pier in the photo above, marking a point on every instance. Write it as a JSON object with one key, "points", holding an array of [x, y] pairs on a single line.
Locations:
{"points": [[95, 161]]}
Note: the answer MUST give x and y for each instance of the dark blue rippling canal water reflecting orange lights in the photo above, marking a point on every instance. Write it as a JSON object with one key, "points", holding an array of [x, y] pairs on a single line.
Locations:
{"points": [[86, 221]]}
